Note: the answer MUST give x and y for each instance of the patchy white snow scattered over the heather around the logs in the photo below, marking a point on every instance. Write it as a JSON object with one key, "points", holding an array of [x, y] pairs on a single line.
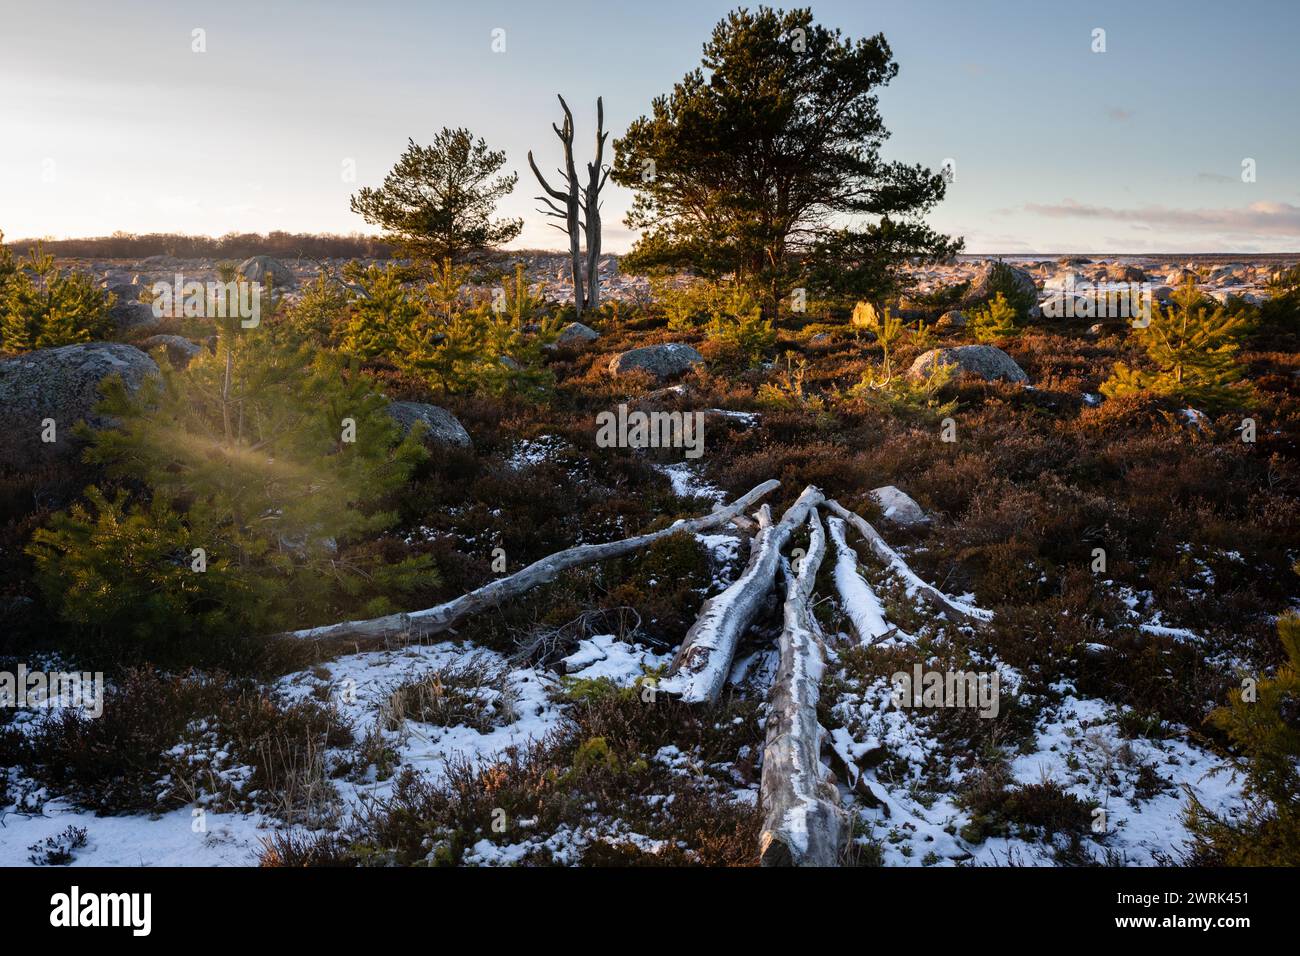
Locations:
{"points": [[1142, 785]]}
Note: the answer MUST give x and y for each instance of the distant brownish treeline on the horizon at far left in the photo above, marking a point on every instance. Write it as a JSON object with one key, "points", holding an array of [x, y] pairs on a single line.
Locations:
{"points": [[232, 246]]}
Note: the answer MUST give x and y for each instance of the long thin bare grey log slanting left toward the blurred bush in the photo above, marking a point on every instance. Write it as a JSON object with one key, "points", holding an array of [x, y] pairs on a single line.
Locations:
{"points": [[445, 616]]}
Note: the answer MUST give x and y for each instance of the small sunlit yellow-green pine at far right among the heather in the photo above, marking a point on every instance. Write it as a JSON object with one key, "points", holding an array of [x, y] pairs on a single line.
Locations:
{"points": [[1193, 356]]}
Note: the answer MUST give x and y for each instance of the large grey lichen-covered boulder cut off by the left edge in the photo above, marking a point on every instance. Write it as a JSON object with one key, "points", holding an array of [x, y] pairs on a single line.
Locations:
{"points": [[47, 392]]}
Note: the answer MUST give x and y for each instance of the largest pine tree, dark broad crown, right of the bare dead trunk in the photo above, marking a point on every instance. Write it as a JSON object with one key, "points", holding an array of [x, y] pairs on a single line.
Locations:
{"points": [[765, 165]]}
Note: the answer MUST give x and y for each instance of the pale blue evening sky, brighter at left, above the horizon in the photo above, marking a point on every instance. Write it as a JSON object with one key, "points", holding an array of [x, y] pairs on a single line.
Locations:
{"points": [[111, 120]]}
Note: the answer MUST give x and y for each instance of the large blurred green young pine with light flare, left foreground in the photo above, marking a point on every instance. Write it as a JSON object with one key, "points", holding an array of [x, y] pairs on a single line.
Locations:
{"points": [[278, 460]]}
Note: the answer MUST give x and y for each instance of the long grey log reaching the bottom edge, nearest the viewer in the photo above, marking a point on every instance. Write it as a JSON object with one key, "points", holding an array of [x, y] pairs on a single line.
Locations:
{"points": [[803, 823]]}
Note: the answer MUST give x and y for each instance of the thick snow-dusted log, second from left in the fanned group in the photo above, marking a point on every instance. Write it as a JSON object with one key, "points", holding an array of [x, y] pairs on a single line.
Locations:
{"points": [[700, 671]]}
